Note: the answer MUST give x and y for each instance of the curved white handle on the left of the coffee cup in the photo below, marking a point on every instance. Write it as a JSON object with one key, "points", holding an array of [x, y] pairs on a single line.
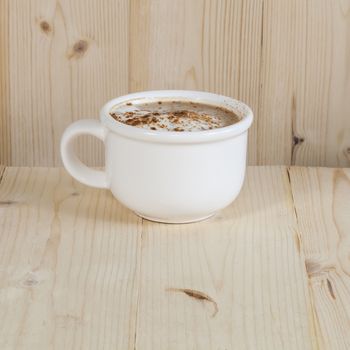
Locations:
{"points": [[71, 162]]}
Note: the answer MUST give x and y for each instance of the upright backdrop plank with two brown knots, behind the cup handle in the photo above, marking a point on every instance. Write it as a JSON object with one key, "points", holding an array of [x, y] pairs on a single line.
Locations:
{"points": [[65, 60]]}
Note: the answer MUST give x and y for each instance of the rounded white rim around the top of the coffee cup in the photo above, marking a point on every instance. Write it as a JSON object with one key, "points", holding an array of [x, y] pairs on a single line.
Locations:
{"points": [[238, 107]]}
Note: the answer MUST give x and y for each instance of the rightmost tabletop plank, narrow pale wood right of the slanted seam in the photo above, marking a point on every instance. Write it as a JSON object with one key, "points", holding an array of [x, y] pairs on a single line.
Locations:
{"points": [[322, 202]]}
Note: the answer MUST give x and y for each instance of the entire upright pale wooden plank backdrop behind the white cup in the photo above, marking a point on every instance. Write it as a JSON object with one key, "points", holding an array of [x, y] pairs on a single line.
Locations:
{"points": [[288, 59]]}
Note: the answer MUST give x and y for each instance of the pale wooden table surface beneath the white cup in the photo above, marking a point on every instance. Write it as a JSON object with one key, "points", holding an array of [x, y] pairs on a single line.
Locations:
{"points": [[80, 271]]}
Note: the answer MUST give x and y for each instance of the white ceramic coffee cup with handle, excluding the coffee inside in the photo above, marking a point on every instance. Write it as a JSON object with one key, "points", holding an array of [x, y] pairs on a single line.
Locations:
{"points": [[171, 177]]}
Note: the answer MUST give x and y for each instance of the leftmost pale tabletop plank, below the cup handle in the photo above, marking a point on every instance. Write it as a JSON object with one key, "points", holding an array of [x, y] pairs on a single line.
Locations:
{"points": [[69, 264]]}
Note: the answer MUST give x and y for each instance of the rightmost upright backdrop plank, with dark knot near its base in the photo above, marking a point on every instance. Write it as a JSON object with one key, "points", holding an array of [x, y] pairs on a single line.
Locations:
{"points": [[303, 116]]}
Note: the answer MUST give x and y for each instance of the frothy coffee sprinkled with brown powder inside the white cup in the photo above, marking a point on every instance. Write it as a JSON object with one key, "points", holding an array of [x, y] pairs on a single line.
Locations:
{"points": [[173, 115]]}
